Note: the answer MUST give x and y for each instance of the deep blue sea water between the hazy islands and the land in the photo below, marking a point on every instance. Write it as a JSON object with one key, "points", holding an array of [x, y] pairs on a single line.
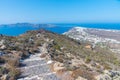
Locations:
{"points": [[56, 28]]}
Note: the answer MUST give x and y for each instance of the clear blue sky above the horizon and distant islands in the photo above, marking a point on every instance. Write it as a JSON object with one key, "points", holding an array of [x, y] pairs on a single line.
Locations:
{"points": [[59, 11]]}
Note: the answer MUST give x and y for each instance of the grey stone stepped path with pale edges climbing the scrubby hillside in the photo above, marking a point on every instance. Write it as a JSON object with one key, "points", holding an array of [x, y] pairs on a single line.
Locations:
{"points": [[36, 68]]}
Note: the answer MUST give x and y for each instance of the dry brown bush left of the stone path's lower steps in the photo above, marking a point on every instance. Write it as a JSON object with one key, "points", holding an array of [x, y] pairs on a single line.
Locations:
{"points": [[11, 65]]}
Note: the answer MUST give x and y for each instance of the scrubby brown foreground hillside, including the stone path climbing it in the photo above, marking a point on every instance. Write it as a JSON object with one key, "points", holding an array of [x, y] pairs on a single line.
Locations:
{"points": [[68, 58]]}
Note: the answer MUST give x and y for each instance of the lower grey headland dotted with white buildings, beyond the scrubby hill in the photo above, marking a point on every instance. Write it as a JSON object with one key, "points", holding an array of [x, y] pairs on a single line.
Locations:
{"points": [[104, 38]]}
